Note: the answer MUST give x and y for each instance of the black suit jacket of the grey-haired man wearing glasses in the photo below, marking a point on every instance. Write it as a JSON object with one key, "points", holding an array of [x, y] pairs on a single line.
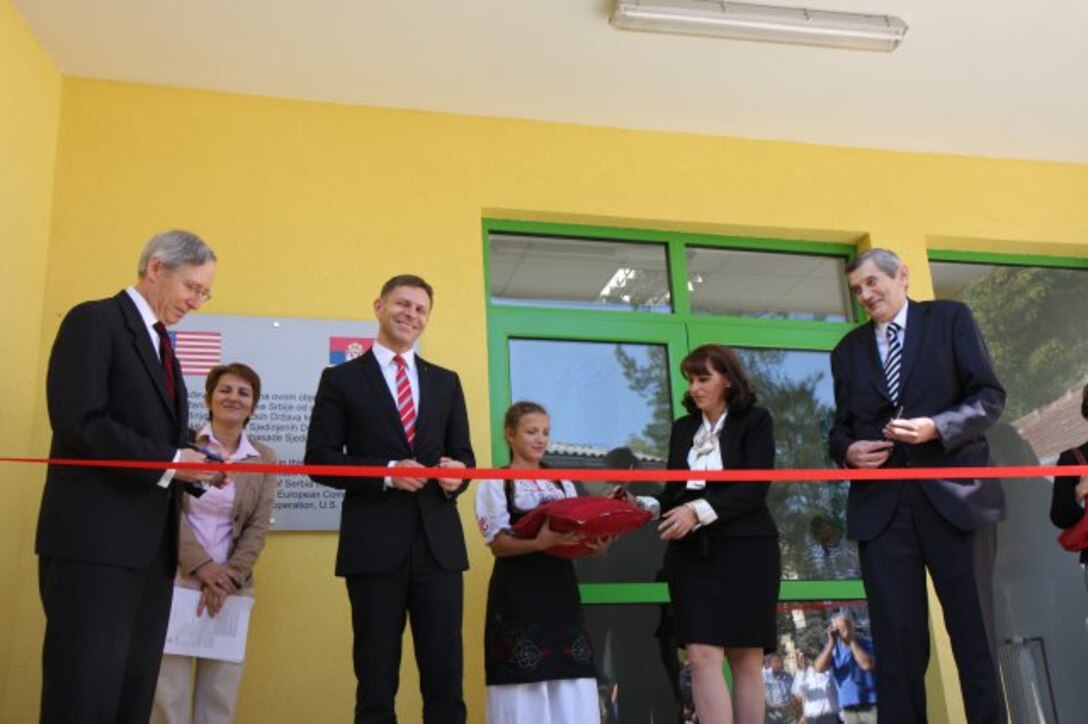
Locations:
{"points": [[107, 398]]}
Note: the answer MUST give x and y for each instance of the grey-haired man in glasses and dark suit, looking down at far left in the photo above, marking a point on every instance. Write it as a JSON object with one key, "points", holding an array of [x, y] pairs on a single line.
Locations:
{"points": [[107, 539]]}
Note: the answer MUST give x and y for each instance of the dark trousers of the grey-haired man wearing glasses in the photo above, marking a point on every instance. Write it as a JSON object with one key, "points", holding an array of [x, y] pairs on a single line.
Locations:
{"points": [[105, 632]]}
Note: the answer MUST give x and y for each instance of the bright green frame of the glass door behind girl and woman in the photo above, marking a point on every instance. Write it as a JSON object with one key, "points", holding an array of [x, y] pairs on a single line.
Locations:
{"points": [[681, 332]]}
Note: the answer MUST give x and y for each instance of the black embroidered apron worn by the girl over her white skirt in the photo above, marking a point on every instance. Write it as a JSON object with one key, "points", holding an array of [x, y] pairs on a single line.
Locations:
{"points": [[536, 631]]}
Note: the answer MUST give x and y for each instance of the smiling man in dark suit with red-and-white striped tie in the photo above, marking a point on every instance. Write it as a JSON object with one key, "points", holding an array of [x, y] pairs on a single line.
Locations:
{"points": [[402, 548]]}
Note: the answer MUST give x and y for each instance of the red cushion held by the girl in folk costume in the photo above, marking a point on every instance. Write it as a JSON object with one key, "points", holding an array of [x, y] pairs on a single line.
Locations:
{"points": [[591, 518]]}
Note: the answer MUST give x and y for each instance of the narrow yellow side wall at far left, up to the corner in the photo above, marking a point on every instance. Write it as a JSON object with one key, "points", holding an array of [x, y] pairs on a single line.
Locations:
{"points": [[30, 96]]}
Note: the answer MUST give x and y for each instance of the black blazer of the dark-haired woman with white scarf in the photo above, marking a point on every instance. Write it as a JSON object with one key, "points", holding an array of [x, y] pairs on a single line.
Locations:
{"points": [[748, 443]]}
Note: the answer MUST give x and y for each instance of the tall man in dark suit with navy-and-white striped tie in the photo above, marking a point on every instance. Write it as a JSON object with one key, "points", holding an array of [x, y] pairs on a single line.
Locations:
{"points": [[916, 388]]}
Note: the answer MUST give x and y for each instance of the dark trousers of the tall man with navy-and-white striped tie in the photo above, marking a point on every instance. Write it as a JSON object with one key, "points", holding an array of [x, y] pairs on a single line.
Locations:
{"points": [[894, 568]]}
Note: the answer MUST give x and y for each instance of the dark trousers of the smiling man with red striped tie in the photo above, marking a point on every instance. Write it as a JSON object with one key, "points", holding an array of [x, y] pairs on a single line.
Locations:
{"points": [[381, 604]]}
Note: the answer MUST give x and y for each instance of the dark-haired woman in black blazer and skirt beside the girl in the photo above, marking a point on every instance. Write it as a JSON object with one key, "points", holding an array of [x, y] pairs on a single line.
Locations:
{"points": [[723, 562]]}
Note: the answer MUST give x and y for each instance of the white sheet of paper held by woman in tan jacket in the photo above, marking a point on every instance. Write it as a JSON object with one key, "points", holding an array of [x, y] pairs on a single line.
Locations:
{"points": [[222, 639]]}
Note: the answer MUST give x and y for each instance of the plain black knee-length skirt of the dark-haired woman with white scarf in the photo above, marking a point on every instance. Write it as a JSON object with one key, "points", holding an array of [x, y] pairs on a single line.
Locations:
{"points": [[725, 591]]}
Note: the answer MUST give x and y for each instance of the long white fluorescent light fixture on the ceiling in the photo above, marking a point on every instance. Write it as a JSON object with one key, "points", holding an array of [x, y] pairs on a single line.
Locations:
{"points": [[769, 23]]}
